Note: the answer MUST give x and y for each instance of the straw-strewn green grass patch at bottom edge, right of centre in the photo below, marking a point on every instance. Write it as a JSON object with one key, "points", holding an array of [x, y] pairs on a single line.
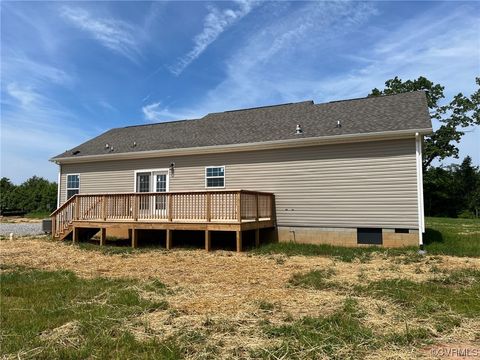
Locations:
{"points": [[337, 336]]}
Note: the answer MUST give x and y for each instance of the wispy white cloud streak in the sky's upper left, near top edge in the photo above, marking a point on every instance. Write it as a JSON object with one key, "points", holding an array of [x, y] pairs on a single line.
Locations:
{"points": [[114, 34]]}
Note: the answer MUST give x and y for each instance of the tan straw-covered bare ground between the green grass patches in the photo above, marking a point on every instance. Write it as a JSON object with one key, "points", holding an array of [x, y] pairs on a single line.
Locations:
{"points": [[227, 289]]}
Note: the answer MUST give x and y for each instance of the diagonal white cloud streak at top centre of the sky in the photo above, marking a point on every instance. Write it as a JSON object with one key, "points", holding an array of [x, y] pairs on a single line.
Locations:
{"points": [[214, 24]]}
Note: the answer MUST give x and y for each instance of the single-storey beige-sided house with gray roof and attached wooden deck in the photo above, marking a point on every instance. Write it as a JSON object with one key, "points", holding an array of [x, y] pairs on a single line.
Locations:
{"points": [[344, 173]]}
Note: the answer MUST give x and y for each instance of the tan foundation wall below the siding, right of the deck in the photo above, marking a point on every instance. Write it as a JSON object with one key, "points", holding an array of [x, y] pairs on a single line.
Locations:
{"points": [[344, 236]]}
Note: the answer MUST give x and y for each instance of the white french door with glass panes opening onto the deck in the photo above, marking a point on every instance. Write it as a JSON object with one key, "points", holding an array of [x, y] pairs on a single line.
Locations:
{"points": [[152, 182]]}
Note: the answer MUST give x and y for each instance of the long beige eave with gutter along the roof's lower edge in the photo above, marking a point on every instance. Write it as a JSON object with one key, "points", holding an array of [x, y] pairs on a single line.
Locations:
{"points": [[264, 145]]}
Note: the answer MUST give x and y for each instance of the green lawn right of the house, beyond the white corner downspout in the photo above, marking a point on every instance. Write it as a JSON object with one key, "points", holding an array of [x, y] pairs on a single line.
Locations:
{"points": [[456, 237]]}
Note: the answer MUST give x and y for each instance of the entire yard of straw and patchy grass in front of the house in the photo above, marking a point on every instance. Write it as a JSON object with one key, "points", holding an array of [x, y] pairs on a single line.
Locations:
{"points": [[193, 304]]}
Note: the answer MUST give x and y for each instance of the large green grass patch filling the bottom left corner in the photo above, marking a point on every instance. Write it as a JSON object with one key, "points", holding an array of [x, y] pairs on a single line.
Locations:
{"points": [[37, 304]]}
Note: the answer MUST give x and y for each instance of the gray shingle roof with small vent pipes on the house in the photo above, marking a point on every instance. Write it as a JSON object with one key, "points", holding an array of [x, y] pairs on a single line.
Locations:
{"points": [[278, 122]]}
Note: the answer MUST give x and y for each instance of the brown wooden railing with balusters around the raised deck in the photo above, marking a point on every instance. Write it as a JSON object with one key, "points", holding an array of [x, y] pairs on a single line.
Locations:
{"points": [[230, 206]]}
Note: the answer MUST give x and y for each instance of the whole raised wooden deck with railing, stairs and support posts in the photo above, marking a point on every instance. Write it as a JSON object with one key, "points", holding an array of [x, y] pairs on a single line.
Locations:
{"points": [[233, 210]]}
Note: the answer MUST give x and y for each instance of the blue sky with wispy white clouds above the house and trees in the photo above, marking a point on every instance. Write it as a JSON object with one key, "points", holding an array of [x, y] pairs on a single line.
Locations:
{"points": [[72, 70]]}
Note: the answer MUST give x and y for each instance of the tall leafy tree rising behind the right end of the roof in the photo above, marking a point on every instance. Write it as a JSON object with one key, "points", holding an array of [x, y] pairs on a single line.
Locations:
{"points": [[462, 111]]}
